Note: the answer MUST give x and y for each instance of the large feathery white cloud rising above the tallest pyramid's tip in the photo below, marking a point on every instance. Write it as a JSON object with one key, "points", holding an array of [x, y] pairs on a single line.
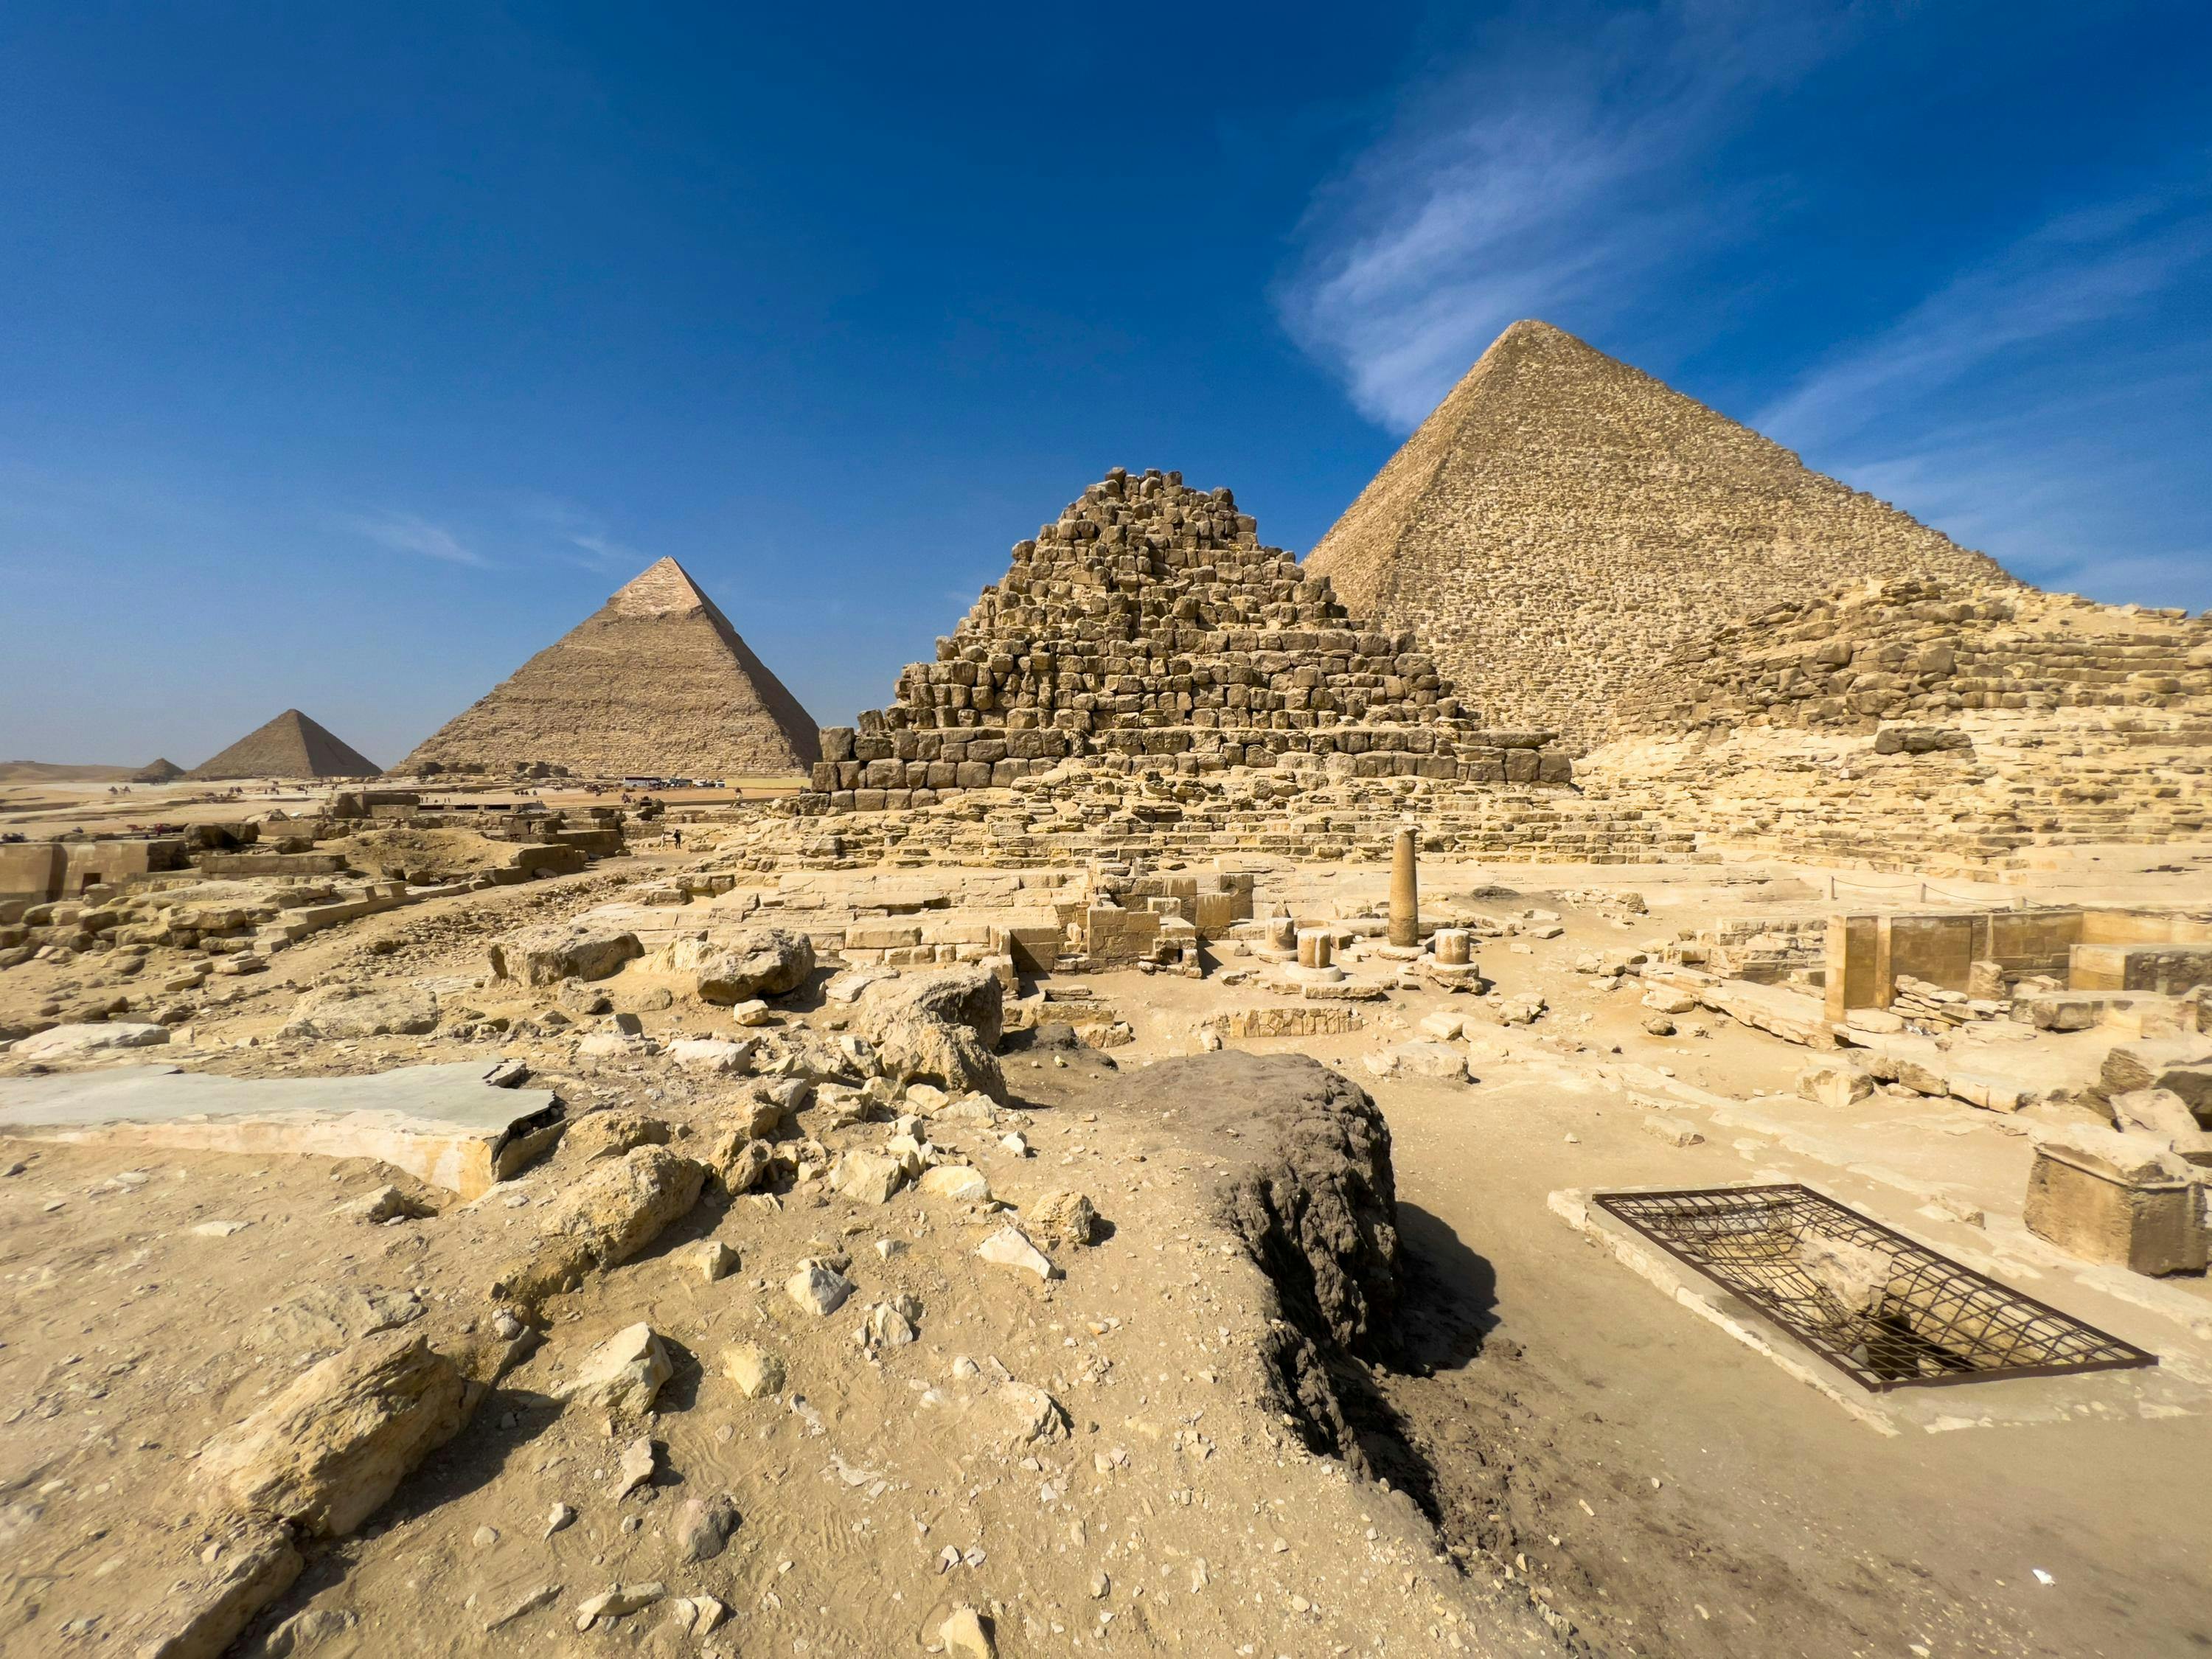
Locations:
{"points": [[1554, 178]]}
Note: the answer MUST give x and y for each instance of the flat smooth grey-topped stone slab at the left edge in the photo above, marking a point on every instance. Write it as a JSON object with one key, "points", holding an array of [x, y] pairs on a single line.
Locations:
{"points": [[444, 1125]]}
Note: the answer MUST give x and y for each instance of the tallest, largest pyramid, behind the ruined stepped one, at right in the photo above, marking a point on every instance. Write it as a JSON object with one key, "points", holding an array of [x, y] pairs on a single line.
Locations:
{"points": [[1563, 523]]}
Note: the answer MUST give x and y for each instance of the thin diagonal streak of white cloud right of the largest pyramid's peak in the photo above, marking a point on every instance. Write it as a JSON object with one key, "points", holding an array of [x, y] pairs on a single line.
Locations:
{"points": [[2074, 273]]}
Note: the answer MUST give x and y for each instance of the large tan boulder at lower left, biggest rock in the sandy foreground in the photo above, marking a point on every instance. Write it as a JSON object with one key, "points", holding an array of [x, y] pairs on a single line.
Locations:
{"points": [[337, 1443]]}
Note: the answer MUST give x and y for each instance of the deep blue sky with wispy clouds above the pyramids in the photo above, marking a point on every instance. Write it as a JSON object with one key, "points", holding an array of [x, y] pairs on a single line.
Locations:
{"points": [[348, 355]]}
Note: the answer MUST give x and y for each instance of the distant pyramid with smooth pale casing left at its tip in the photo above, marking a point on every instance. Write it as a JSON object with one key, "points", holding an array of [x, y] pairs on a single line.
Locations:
{"points": [[656, 682]]}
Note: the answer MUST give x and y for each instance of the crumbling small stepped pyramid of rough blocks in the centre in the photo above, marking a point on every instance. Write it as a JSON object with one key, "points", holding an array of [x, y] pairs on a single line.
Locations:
{"points": [[1149, 623]]}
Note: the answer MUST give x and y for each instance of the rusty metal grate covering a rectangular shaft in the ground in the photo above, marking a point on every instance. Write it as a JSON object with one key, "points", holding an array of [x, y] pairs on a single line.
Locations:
{"points": [[1868, 1300]]}
